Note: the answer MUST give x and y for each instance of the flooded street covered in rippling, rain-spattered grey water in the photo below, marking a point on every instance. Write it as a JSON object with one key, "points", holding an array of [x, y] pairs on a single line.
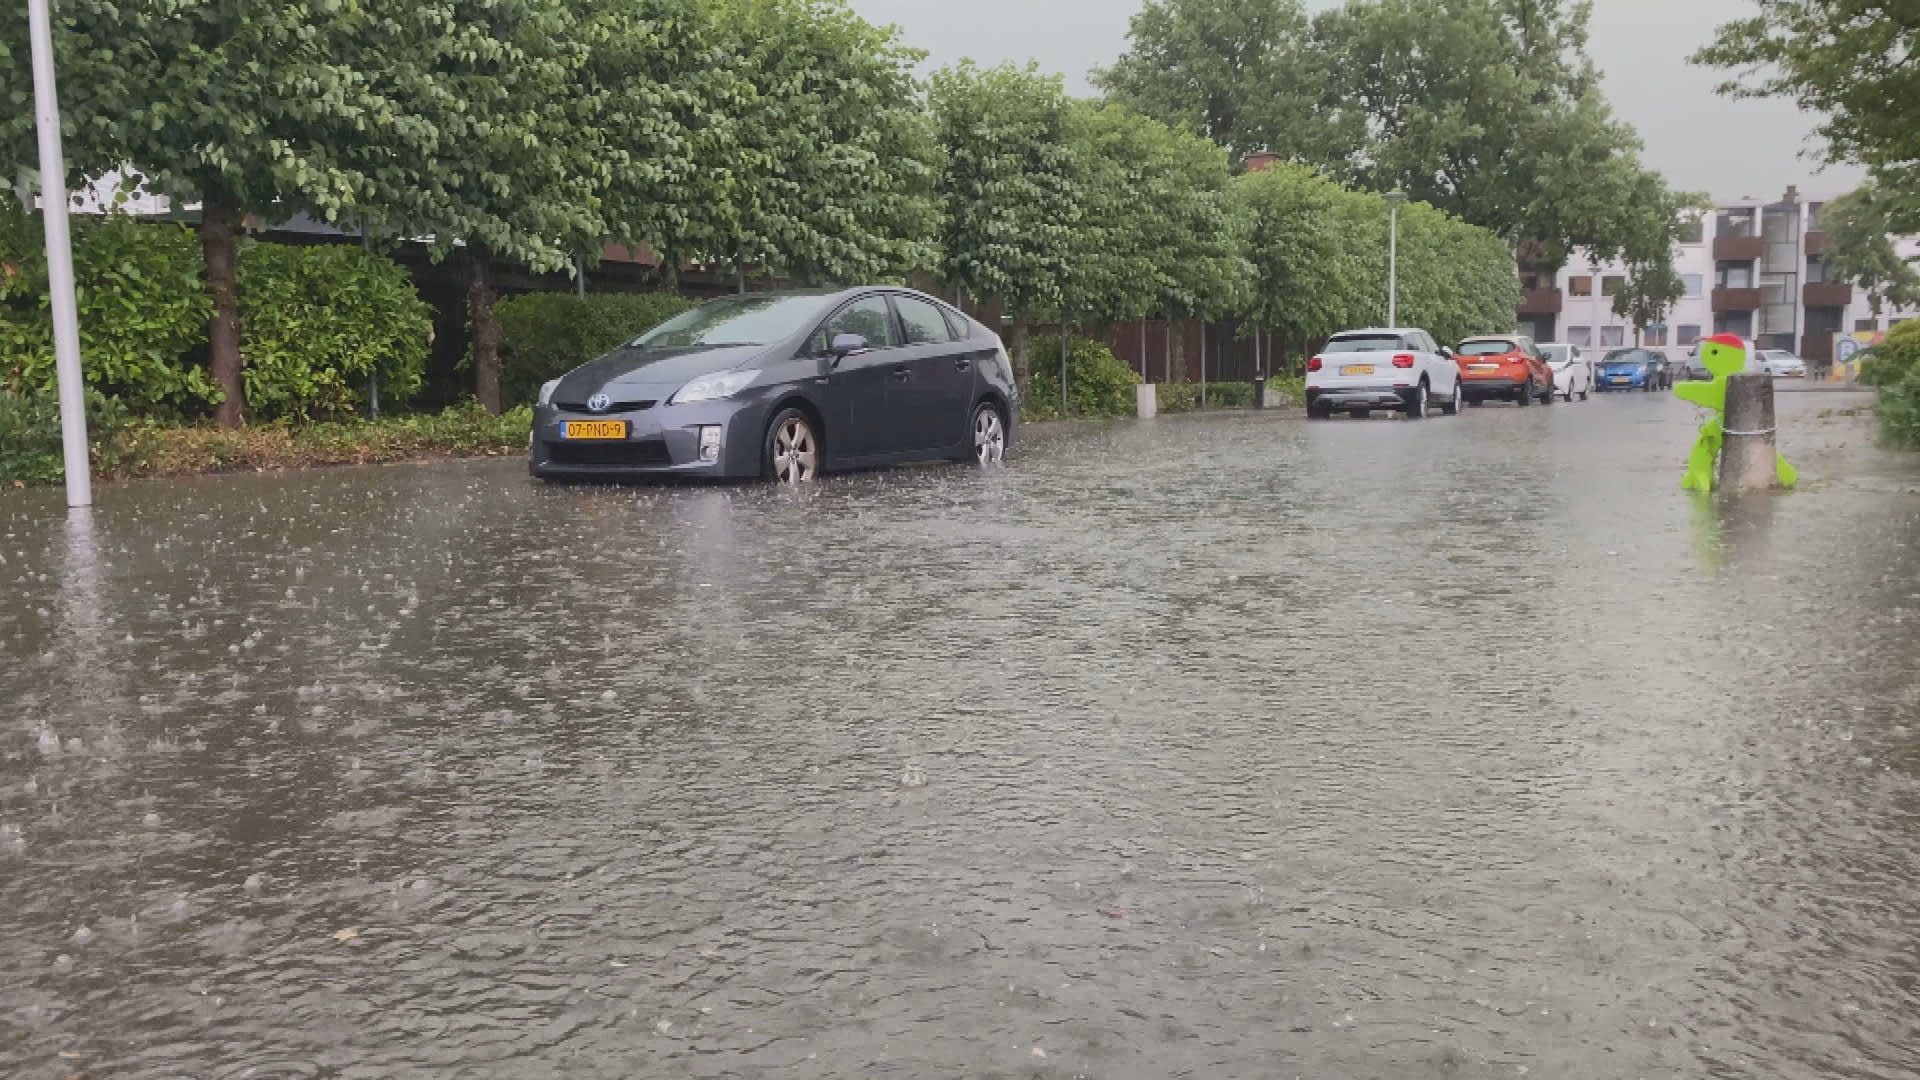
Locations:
{"points": [[1203, 747]]}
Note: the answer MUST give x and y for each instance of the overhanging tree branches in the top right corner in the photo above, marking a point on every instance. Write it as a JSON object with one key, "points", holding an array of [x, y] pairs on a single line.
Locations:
{"points": [[1846, 61]]}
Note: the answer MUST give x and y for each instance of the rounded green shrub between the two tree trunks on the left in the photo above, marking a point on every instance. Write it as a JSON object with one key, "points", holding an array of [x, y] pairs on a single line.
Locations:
{"points": [[320, 324]]}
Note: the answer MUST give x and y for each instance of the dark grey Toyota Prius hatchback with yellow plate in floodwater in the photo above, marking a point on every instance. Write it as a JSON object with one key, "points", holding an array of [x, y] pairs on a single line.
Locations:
{"points": [[784, 387]]}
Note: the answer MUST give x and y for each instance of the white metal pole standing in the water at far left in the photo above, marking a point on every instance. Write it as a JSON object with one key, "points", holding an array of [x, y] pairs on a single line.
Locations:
{"points": [[60, 260]]}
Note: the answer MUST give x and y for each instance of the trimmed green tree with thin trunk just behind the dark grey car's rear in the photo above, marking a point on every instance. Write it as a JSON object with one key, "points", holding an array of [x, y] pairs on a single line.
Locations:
{"points": [[1009, 191]]}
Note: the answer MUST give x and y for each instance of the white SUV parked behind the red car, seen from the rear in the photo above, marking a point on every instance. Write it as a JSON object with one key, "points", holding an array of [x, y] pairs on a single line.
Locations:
{"points": [[1399, 370]]}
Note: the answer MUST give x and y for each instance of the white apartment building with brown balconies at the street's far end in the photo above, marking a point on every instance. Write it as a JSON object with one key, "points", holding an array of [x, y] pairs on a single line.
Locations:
{"points": [[1752, 268]]}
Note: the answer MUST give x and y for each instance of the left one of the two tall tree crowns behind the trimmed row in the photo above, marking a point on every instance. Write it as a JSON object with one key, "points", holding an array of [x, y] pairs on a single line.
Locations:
{"points": [[1237, 72]]}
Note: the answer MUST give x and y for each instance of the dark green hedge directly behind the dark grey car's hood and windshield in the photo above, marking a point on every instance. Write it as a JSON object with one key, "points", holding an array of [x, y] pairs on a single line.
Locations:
{"points": [[548, 333]]}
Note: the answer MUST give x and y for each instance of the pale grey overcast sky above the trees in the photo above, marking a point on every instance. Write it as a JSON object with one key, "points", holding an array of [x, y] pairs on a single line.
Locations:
{"points": [[1641, 45]]}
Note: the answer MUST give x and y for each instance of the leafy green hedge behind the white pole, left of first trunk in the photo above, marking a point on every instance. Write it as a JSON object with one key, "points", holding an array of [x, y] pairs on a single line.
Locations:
{"points": [[143, 308]]}
